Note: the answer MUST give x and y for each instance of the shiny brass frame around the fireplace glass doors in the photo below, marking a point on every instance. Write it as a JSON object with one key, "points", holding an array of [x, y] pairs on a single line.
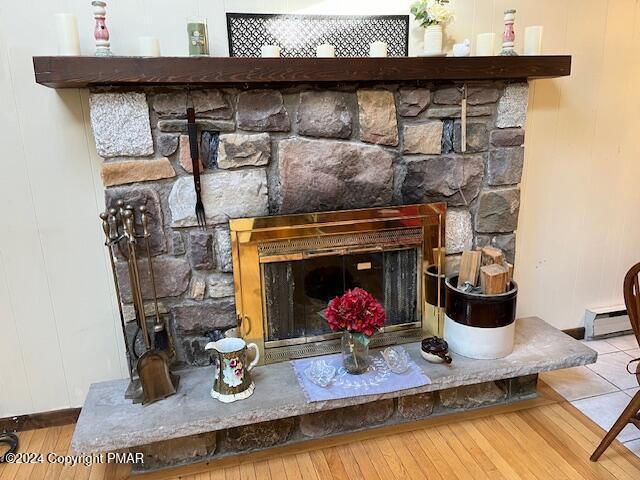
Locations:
{"points": [[255, 241]]}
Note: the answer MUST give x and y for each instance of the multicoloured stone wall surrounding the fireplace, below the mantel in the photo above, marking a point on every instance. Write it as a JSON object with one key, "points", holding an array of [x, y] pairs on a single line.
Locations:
{"points": [[302, 148]]}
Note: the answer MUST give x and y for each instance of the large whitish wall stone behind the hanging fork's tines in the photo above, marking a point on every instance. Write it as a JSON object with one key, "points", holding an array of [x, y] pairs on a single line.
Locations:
{"points": [[225, 194]]}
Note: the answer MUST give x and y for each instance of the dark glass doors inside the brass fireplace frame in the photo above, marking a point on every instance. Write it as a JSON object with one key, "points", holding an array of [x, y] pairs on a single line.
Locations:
{"points": [[297, 292]]}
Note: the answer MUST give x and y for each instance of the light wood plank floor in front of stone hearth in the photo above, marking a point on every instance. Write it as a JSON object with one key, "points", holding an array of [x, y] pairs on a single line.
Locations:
{"points": [[548, 439]]}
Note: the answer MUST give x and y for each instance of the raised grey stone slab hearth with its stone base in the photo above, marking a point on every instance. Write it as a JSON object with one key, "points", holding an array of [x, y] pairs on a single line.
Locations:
{"points": [[190, 426]]}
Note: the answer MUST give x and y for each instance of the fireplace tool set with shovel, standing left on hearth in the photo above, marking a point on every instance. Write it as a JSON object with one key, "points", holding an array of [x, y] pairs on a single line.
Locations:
{"points": [[151, 379]]}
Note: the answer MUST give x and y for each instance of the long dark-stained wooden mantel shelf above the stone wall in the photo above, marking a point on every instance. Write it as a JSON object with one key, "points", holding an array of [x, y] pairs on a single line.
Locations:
{"points": [[75, 72]]}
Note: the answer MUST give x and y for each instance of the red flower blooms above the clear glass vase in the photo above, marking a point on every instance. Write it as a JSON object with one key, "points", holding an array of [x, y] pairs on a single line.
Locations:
{"points": [[356, 311]]}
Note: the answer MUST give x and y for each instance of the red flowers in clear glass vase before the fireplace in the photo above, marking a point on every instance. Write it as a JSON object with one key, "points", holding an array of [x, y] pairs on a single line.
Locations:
{"points": [[358, 315]]}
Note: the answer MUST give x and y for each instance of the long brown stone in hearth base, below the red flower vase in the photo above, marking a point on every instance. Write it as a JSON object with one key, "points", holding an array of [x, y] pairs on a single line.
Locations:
{"points": [[346, 419]]}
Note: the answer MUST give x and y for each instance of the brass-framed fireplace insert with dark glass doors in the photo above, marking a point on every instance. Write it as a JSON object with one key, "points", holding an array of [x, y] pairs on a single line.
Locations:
{"points": [[287, 269]]}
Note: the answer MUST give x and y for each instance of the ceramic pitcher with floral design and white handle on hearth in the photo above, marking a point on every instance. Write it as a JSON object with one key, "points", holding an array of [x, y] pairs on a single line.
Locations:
{"points": [[232, 380]]}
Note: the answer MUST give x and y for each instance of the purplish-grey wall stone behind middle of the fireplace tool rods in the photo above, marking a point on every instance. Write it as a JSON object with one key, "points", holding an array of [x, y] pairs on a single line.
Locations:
{"points": [[171, 274]]}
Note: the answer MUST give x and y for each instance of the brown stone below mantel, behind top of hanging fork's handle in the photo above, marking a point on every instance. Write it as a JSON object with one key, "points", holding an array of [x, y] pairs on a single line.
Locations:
{"points": [[206, 103]]}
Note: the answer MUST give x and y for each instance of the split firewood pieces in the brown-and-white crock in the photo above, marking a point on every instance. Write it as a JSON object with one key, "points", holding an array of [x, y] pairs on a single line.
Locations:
{"points": [[485, 271]]}
